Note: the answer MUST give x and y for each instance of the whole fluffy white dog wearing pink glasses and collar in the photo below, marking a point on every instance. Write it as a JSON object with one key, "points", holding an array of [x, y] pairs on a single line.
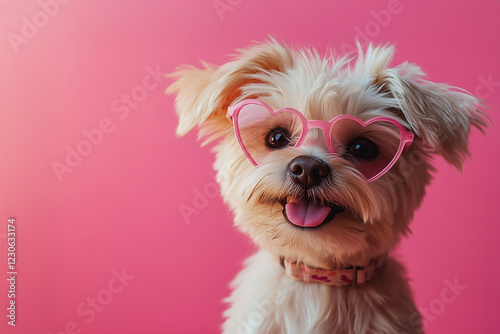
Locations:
{"points": [[323, 162]]}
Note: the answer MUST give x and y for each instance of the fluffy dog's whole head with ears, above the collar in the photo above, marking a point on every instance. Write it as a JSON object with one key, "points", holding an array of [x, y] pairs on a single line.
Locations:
{"points": [[305, 201]]}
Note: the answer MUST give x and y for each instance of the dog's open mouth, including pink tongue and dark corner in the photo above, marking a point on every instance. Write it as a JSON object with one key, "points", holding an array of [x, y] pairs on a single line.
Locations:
{"points": [[307, 212]]}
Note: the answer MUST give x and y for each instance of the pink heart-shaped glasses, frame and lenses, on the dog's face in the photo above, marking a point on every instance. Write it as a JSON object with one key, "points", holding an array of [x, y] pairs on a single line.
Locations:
{"points": [[372, 147]]}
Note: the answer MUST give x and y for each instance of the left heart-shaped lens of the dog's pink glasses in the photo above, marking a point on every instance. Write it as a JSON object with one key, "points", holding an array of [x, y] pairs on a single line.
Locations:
{"points": [[261, 132]]}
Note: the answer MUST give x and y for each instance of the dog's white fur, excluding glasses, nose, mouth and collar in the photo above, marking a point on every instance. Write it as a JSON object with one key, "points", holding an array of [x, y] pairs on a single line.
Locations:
{"points": [[378, 212]]}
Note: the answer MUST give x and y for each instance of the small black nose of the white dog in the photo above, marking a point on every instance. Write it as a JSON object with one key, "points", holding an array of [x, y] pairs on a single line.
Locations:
{"points": [[308, 171]]}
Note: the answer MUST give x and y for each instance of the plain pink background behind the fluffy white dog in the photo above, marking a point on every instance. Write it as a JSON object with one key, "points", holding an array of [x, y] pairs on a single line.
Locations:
{"points": [[119, 207]]}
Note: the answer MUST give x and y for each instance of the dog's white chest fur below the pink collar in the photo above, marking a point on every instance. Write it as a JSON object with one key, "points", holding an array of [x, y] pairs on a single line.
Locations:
{"points": [[265, 300]]}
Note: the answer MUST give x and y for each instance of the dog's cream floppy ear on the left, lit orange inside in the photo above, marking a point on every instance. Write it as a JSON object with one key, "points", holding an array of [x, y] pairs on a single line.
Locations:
{"points": [[203, 95]]}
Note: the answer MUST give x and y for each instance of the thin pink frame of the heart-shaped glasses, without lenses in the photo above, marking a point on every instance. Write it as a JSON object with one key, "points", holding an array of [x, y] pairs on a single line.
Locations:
{"points": [[406, 137]]}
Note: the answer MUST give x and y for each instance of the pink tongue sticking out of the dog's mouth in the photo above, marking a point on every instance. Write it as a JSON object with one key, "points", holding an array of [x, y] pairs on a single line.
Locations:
{"points": [[304, 213]]}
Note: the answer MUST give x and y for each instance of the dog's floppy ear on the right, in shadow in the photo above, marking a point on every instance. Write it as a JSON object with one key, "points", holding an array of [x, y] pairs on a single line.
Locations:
{"points": [[439, 115]]}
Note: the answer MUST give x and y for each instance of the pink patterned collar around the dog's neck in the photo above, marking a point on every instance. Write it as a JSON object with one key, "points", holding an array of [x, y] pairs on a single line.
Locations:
{"points": [[348, 276]]}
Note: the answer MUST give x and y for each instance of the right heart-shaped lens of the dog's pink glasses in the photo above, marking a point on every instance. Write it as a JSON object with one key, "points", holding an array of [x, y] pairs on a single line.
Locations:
{"points": [[369, 148]]}
